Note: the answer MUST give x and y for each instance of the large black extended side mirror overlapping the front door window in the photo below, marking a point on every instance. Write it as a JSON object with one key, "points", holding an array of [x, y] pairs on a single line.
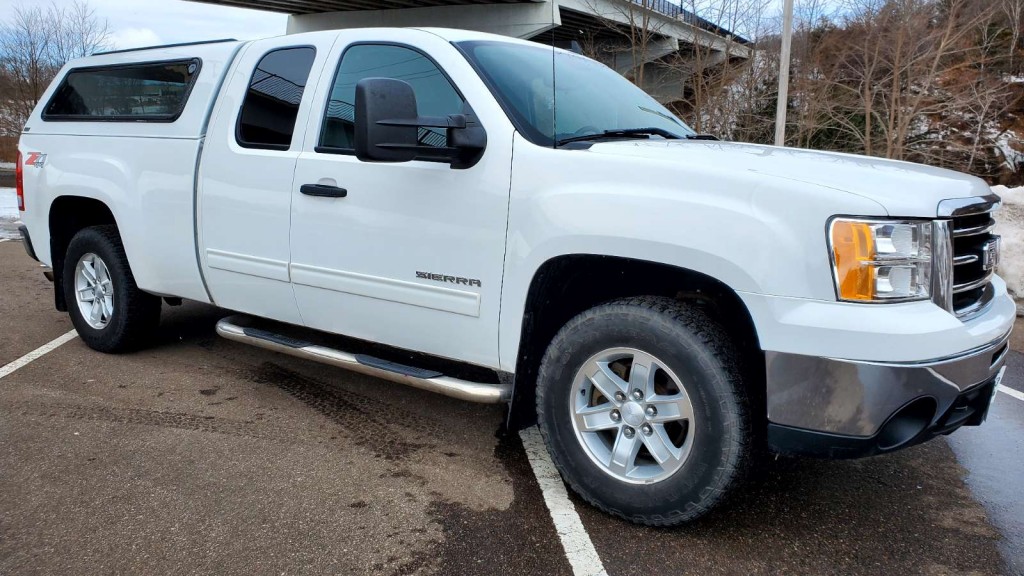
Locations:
{"points": [[388, 128]]}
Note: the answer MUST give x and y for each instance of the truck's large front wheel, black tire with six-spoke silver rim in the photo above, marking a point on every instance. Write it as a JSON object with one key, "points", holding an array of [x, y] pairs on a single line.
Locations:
{"points": [[707, 449]]}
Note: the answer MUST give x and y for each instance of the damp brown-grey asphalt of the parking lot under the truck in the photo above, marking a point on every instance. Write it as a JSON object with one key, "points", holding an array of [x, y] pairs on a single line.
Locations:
{"points": [[201, 456]]}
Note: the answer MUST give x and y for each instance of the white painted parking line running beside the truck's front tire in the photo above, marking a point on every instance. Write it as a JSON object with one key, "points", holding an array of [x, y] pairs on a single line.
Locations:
{"points": [[579, 549]]}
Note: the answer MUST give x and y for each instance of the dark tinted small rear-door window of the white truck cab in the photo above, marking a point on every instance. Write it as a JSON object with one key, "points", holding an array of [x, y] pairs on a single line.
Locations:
{"points": [[272, 104]]}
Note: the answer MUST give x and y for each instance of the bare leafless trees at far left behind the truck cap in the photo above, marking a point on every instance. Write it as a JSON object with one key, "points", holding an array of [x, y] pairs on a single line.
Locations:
{"points": [[35, 43]]}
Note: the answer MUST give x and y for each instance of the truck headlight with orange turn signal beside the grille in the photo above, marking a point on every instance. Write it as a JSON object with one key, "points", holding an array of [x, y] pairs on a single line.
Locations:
{"points": [[881, 261]]}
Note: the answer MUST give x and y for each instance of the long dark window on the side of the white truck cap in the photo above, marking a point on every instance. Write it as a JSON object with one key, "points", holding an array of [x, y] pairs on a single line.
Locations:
{"points": [[155, 92]]}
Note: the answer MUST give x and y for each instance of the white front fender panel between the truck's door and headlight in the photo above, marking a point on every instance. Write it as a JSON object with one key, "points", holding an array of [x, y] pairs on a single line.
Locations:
{"points": [[754, 233]]}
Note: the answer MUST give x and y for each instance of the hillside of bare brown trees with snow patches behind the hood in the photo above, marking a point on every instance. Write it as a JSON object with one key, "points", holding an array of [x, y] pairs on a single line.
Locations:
{"points": [[940, 83]]}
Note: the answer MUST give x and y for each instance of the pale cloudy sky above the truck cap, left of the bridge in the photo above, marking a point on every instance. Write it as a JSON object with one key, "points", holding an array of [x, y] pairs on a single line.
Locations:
{"points": [[146, 23]]}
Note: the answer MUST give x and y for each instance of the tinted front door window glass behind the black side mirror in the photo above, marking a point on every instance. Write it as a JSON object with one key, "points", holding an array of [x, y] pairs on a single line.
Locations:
{"points": [[435, 95]]}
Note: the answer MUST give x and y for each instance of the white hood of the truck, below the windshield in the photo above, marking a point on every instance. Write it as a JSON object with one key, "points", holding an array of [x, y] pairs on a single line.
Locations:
{"points": [[903, 189]]}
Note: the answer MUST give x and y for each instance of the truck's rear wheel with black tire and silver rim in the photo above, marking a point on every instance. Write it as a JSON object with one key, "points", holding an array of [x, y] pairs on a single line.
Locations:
{"points": [[126, 318]]}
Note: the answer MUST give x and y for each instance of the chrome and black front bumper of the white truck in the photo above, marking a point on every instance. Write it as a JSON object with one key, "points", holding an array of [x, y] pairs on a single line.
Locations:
{"points": [[844, 409]]}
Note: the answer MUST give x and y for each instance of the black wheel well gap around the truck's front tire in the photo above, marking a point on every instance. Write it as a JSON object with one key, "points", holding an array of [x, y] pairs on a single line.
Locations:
{"points": [[567, 285]]}
